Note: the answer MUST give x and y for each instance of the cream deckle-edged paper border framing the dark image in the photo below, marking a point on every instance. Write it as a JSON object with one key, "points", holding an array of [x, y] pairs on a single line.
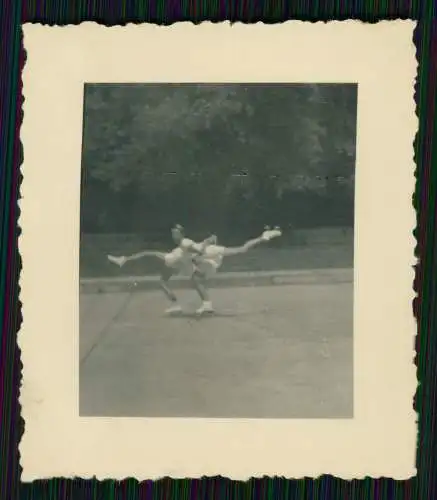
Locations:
{"points": [[381, 438]]}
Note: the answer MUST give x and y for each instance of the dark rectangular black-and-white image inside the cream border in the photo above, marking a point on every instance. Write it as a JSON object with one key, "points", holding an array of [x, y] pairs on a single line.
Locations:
{"points": [[217, 250]]}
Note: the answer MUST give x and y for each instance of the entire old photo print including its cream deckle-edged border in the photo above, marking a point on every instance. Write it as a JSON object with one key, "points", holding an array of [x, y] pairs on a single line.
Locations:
{"points": [[218, 251]]}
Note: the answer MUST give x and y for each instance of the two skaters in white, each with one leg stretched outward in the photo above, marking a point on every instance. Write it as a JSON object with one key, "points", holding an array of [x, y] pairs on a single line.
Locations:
{"points": [[199, 261]]}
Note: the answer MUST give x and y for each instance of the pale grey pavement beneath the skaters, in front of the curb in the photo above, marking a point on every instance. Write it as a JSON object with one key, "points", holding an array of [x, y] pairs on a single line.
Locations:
{"points": [[271, 352]]}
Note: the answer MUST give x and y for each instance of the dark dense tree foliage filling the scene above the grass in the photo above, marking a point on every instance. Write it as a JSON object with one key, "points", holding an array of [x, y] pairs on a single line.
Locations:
{"points": [[217, 157]]}
